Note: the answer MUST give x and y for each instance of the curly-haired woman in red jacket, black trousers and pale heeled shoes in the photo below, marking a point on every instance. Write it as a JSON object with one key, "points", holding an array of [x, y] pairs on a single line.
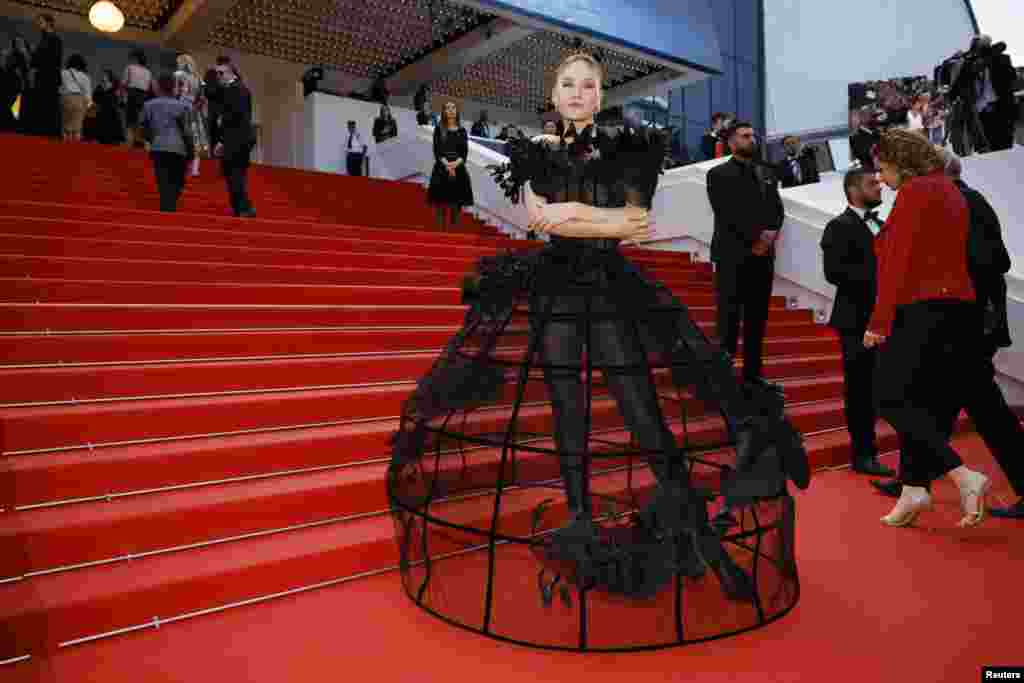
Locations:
{"points": [[927, 319]]}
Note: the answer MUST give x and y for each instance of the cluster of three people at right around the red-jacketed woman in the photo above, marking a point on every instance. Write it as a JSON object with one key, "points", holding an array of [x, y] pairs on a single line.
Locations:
{"points": [[921, 311]]}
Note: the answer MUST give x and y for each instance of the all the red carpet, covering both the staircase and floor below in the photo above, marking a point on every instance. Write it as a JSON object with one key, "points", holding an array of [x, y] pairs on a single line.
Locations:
{"points": [[196, 409]]}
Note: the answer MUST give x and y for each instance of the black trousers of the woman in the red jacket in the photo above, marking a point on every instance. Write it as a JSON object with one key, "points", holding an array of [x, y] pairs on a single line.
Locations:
{"points": [[923, 371]]}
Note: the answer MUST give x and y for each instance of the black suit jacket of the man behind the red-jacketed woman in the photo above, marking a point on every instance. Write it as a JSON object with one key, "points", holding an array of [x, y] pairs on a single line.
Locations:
{"points": [[988, 264]]}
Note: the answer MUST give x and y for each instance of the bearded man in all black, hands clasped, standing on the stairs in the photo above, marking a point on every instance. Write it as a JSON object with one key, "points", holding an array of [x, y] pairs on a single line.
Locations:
{"points": [[749, 216]]}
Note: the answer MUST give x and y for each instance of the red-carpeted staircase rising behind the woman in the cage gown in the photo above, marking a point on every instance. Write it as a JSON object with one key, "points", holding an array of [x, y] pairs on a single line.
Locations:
{"points": [[196, 409]]}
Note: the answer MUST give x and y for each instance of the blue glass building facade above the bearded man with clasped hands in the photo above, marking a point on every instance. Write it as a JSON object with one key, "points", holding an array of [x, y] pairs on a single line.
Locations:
{"points": [[738, 91]]}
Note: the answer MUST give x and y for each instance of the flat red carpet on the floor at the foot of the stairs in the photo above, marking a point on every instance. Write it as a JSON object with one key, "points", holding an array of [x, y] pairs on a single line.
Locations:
{"points": [[929, 604]]}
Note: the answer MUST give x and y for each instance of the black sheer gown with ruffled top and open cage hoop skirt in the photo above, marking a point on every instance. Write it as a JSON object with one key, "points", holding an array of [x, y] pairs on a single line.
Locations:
{"points": [[554, 475]]}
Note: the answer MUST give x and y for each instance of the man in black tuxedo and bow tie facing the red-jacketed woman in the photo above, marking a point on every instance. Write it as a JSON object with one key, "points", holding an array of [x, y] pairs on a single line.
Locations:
{"points": [[848, 247]]}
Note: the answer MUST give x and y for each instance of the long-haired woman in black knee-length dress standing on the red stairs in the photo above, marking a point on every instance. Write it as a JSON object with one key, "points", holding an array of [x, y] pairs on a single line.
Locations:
{"points": [[450, 186]]}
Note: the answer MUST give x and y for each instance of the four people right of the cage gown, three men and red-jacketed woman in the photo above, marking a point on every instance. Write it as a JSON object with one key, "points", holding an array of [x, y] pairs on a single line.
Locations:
{"points": [[920, 310]]}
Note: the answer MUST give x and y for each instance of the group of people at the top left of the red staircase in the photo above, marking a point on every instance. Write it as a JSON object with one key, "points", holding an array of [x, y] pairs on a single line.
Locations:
{"points": [[179, 116]]}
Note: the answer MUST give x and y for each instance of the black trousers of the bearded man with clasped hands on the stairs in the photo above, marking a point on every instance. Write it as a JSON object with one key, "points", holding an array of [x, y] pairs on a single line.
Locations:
{"points": [[744, 292]]}
